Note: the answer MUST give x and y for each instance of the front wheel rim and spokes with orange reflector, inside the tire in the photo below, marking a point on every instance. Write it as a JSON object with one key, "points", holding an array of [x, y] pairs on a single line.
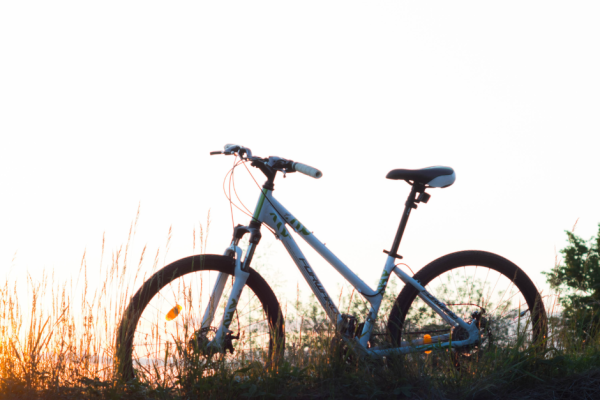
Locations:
{"points": [[164, 347]]}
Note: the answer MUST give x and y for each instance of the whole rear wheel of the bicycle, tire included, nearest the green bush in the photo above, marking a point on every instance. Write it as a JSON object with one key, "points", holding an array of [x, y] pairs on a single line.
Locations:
{"points": [[506, 304]]}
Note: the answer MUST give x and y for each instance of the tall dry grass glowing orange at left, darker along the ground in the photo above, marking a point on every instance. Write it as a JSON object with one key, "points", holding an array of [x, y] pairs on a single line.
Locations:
{"points": [[57, 340]]}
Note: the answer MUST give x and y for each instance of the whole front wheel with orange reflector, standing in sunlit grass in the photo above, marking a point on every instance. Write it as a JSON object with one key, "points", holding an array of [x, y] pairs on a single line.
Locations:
{"points": [[161, 333]]}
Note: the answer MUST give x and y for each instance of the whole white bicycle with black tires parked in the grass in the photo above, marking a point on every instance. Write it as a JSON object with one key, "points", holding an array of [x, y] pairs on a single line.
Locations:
{"points": [[162, 328]]}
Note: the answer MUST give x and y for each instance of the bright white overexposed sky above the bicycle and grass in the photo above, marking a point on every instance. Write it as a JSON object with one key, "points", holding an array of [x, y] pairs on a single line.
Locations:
{"points": [[107, 105]]}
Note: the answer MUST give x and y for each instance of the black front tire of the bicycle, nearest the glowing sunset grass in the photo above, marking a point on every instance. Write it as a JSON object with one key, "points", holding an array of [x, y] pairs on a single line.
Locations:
{"points": [[188, 267]]}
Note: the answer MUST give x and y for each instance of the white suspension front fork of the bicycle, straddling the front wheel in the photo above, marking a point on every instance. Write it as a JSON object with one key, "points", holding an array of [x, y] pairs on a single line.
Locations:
{"points": [[241, 274]]}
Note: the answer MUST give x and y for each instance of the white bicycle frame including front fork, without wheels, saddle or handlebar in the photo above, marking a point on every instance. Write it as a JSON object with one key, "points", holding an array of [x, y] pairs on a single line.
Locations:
{"points": [[271, 212]]}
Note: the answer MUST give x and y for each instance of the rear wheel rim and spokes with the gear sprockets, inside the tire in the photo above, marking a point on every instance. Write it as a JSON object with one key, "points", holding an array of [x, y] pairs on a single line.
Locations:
{"points": [[512, 317]]}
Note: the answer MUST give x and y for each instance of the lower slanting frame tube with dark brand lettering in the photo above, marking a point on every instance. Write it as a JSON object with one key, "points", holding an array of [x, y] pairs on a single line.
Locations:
{"points": [[306, 270]]}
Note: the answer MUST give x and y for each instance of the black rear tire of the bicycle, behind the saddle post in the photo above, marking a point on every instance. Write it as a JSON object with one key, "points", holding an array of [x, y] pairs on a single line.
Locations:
{"points": [[407, 299]]}
